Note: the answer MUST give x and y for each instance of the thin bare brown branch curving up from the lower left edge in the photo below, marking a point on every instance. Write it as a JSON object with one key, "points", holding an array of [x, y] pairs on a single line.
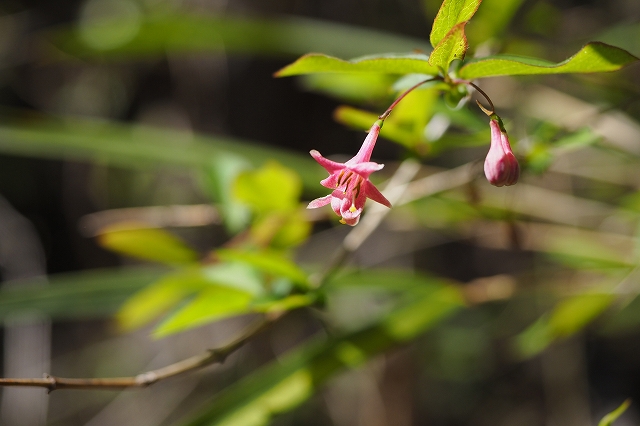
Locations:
{"points": [[212, 356]]}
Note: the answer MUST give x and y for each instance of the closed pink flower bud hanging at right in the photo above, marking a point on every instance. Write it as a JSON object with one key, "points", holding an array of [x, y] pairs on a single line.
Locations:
{"points": [[500, 167]]}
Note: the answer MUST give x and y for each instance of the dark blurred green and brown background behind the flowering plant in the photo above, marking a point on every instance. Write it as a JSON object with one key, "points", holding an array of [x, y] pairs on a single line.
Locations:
{"points": [[76, 95]]}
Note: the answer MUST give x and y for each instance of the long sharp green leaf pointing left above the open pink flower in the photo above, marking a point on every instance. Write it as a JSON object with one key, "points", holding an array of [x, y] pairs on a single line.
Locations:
{"points": [[387, 64]]}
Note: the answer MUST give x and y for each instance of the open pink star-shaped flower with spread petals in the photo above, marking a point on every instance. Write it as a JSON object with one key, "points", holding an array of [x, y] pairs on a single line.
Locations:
{"points": [[350, 181]]}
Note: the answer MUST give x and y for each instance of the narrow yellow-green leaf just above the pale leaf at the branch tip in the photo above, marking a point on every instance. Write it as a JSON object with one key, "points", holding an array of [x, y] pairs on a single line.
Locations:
{"points": [[269, 261]]}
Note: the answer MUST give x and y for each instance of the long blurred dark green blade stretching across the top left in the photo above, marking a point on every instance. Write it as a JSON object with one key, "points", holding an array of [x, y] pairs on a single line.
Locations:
{"points": [[283, 36]]}
